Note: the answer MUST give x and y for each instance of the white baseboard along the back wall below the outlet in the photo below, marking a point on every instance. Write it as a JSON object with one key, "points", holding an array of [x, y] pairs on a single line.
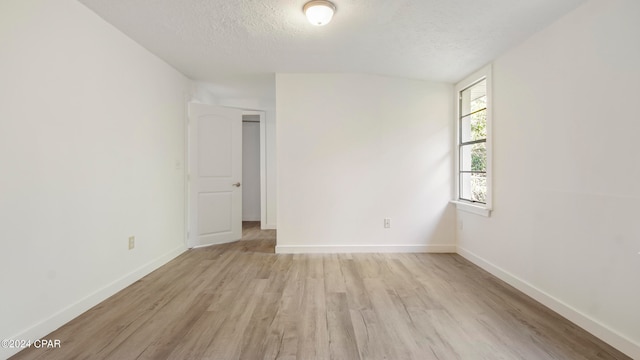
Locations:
{"points": [[344, 249]]}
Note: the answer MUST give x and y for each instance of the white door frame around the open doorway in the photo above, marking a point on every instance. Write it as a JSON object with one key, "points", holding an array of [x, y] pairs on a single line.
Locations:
{"points": [[263, 167]]}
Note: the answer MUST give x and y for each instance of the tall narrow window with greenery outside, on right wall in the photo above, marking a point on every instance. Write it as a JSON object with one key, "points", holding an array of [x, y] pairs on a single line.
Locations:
{"points": [[473, 123]]}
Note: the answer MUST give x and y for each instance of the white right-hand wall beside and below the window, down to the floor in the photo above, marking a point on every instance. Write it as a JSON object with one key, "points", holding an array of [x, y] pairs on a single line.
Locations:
{"points": [[565, 224]]}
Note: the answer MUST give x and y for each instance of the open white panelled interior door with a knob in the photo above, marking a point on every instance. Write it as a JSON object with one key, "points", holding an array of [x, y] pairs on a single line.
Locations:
{"points": [[215, 171]]}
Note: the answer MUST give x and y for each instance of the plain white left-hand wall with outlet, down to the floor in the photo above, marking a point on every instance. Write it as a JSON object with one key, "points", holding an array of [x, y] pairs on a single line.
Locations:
{"points": [[92, 151]]}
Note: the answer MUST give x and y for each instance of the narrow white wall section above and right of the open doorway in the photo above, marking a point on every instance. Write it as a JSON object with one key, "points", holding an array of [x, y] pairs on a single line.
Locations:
{"points": [[257, 95]]}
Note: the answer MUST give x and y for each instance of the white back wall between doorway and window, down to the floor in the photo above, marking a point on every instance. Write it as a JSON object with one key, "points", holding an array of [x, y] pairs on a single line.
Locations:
{"points": [[355, 149]]}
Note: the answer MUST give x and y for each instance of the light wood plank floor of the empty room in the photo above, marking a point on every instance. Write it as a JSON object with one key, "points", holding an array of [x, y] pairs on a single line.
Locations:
{"points": [[242, 301]]}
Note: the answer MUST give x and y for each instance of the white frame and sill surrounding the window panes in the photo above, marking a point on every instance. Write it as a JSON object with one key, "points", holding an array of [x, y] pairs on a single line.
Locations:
{"points": [[468, 206]]}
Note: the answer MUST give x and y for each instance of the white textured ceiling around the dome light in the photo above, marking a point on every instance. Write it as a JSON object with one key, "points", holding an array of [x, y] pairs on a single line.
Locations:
{"points": [[246, 41]]}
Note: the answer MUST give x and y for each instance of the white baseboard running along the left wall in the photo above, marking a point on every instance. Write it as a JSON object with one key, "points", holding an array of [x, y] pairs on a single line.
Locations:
{"points": [[47, 325]]}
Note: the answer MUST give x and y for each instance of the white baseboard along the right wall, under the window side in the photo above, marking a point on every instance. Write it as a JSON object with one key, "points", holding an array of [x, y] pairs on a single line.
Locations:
{"points": [[589, 324]]}
